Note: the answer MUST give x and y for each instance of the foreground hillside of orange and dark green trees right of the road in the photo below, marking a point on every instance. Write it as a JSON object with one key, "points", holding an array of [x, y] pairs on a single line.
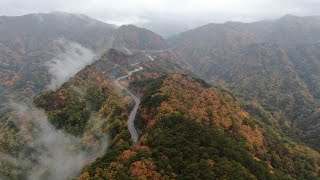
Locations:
{"points": [[189, 130]]}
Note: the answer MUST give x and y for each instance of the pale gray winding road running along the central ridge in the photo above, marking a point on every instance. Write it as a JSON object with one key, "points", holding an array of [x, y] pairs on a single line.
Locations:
{"points": [[133, 113]]}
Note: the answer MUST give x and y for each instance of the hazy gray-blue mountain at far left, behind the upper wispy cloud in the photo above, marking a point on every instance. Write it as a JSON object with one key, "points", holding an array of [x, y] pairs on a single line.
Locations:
{"points": [[35, 33]]}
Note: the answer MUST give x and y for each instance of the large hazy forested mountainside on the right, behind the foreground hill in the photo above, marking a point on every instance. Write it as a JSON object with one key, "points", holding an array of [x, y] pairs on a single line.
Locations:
{"points": [[272, 62]]}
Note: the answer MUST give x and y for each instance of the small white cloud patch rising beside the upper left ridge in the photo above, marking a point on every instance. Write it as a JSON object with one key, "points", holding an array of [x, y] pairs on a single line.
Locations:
{"points": [[72, 58]]}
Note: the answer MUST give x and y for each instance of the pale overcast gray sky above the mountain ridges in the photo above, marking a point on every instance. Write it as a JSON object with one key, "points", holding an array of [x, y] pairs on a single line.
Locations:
{"points": [[137, 11]]}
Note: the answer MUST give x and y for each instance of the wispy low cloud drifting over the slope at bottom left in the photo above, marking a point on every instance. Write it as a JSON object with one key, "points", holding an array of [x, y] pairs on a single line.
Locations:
{"points": [[58, 155]]}
